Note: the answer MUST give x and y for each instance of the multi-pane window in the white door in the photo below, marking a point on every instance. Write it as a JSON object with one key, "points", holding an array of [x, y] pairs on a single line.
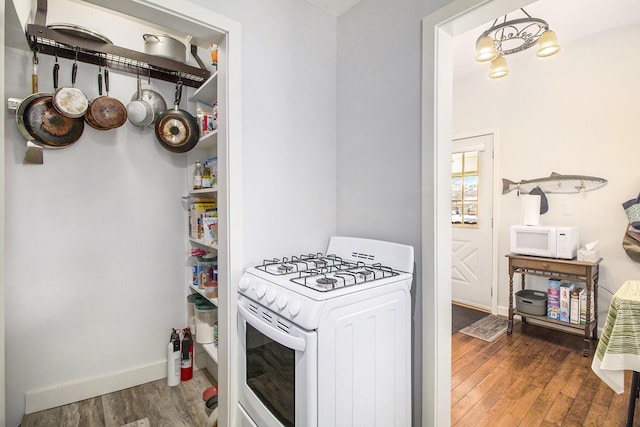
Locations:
{"points": [[464, 188]]}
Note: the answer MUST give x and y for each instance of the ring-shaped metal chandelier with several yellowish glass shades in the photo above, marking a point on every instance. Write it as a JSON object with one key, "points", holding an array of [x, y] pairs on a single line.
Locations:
{"points": [[511, 36]]}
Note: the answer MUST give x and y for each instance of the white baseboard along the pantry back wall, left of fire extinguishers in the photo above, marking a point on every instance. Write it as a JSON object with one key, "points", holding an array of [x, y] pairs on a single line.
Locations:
{"points": [[63, 394]]}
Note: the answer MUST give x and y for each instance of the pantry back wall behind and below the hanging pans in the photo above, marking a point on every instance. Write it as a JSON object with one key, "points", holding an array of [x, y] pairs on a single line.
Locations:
{"points": [[94, 257]]}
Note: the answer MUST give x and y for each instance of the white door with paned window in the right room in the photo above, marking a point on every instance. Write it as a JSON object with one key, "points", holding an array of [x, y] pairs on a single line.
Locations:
{"points": [[472, 218]]}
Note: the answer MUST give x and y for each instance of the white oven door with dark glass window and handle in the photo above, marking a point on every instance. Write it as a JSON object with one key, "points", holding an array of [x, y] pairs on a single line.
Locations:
{"points": [[278, 368]]}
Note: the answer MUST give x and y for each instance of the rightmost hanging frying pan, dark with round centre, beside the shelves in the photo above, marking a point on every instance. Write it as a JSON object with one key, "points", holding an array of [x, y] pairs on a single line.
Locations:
{"points": [[176, 129]]}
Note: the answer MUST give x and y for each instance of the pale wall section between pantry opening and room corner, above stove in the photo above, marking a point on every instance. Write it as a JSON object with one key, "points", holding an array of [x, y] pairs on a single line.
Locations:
{"points": [[289, 133]]}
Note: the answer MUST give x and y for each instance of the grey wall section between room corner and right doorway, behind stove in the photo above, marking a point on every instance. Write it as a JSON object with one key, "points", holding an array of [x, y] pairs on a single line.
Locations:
{"points": [[379, 134]]}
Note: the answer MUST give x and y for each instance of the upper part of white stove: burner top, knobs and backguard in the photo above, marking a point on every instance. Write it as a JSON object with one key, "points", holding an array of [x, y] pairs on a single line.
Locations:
{"points": [[295, 287]]}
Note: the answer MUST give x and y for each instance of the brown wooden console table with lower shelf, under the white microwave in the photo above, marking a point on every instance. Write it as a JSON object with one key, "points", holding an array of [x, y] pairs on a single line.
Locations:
{"points": [[551, 268]]}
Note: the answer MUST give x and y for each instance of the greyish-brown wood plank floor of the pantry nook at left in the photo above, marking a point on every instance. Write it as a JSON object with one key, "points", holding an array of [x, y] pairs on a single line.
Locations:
{"points": [[149, 405]]}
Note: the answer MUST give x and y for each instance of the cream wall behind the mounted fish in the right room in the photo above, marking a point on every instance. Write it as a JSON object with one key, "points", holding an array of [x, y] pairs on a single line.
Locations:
{"points": [[574, 113]]}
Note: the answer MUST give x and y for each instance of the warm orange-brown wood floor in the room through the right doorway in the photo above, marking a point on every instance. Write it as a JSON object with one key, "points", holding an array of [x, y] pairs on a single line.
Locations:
{"points": [[535, 377]]}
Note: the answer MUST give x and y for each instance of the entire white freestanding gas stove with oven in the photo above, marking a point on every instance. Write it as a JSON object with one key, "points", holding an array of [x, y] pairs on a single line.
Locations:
{"points": [[327, 337]]}
